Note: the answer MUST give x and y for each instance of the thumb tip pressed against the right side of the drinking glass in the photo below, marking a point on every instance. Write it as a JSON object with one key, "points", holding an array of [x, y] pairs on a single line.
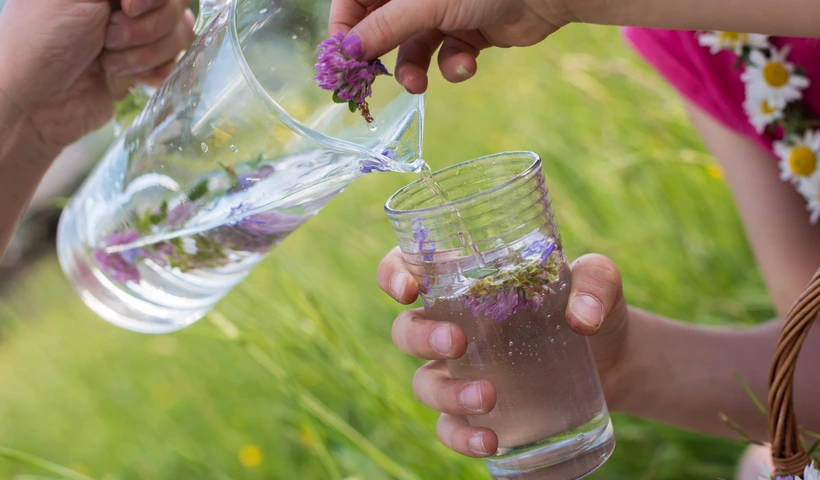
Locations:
{"points": [[596, 290]]}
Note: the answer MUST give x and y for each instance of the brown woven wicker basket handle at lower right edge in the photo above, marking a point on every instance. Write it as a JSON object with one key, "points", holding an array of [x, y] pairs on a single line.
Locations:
{"points": [[788, 453]]}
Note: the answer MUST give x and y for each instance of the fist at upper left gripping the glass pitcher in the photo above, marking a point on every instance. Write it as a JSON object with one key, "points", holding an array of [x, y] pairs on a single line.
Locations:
{"points": [[59, 58]]}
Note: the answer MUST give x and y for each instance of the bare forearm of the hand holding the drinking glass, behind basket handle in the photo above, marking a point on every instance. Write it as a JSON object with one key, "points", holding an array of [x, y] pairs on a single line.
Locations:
{"points": [[685, 375]]}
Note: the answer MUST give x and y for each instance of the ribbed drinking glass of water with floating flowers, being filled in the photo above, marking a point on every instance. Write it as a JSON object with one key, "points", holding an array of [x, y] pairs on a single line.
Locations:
{"points": [[491, 261]]}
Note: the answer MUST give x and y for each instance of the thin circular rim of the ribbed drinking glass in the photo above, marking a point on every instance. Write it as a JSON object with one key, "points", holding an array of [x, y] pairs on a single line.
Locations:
{"points": [[534, 166]]}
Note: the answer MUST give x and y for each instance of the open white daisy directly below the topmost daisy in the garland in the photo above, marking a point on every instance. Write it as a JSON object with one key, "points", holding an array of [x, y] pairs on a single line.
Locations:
{"points": [[773, 78]]}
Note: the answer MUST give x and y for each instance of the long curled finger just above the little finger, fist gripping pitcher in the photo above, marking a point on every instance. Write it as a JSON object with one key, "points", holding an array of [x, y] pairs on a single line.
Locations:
{"points": [[146, 58]]}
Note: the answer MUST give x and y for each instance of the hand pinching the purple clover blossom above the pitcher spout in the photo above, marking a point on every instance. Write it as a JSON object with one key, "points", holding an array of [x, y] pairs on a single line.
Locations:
{"points": [[462, 27]]}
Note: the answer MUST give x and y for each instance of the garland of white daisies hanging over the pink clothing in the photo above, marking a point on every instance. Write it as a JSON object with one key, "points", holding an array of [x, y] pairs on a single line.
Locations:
{"points": [[774, 90]]}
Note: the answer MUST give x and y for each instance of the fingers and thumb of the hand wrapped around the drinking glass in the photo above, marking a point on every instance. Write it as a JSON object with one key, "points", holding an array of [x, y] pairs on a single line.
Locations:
{"points": [[597, 307]]}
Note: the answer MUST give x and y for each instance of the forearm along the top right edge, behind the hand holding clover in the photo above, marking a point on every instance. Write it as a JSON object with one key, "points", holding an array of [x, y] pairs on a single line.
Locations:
{"points": [[794, 18]]}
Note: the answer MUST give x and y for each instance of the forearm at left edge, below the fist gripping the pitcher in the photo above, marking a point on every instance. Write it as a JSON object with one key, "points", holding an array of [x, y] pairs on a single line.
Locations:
{"points": [[23, 162]]}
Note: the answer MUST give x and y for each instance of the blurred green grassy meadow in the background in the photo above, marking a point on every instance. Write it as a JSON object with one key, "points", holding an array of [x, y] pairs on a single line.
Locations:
{"points": [[294, 375]]}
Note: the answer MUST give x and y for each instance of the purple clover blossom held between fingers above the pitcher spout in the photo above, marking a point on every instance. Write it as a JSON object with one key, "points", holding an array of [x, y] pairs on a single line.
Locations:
{"points": [[340, 70]]}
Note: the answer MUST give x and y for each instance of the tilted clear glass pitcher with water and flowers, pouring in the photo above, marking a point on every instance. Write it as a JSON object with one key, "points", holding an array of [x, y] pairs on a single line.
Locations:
{"points": [[233, 152]]}
